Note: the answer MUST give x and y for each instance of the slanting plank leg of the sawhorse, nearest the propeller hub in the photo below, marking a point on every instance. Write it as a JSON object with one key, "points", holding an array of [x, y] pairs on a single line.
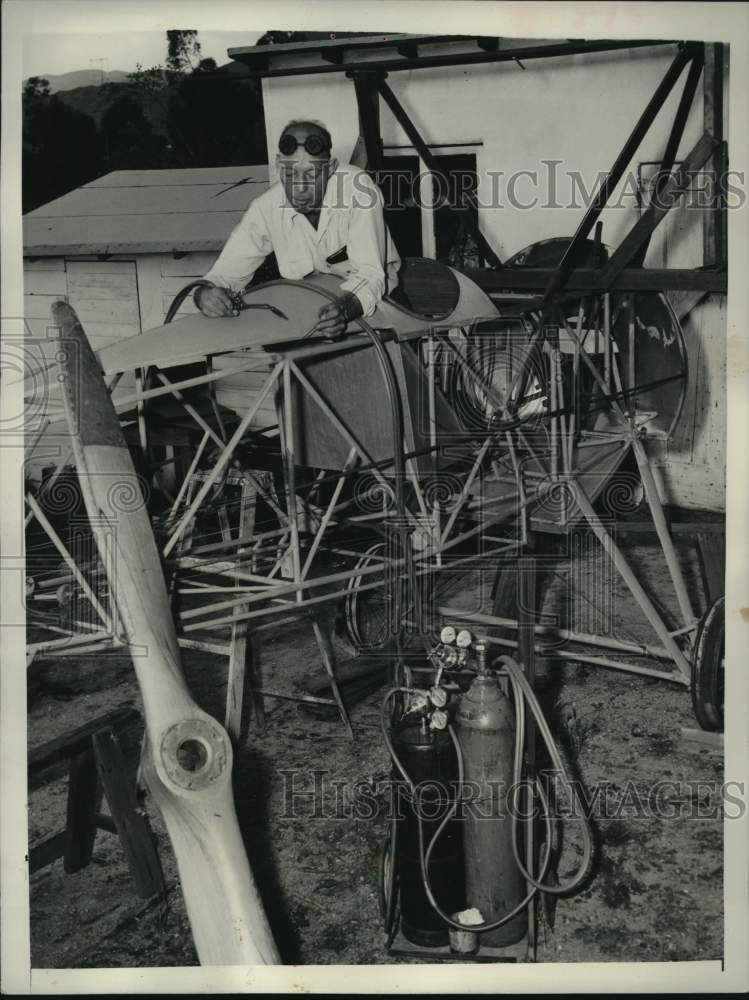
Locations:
{"points": [[132, 827]]}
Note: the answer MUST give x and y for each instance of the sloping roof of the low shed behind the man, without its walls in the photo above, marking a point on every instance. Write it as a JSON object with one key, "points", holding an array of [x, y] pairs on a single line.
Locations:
{"points": [[146, 211]]}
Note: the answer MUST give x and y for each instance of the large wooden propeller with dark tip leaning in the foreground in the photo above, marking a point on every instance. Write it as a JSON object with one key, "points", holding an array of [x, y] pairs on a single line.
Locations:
{"points": [[187, 759]]}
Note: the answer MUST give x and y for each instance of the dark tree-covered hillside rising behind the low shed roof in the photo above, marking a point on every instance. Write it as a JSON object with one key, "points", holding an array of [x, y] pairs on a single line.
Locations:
{"points": [[192, 120]]}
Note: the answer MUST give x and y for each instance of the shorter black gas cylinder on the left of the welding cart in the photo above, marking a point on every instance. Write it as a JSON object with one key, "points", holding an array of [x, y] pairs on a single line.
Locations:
{"points": [[429, 758]]}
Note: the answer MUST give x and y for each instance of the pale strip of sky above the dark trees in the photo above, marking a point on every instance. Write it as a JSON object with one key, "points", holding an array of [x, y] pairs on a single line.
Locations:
{"points": [[51, 54]]}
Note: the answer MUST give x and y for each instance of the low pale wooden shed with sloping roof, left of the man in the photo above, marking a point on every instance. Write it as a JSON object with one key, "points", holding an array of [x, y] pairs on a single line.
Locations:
{"points": [[121, 247]]}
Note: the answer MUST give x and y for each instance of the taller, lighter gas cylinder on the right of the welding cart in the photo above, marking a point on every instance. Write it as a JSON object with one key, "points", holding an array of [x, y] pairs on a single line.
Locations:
{"points": [[485, 725]]}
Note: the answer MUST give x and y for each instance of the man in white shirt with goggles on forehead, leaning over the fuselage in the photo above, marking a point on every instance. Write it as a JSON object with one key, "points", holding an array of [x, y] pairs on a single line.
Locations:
{"points": [[323, 216]]}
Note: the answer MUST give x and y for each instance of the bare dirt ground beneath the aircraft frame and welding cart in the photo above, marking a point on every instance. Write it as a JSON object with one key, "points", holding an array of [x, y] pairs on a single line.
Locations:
{"points": [[655, 891]]}
